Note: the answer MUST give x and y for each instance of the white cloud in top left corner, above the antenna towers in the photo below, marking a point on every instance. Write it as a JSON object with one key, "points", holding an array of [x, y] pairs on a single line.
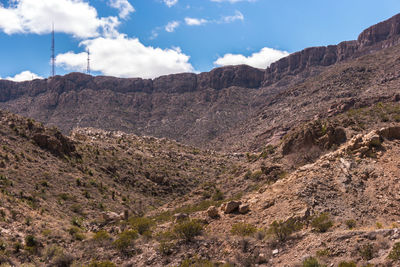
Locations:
{"points": [[75, 17]]}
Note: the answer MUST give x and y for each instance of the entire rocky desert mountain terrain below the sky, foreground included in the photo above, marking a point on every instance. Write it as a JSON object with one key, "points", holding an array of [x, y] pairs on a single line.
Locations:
{"points": [[315, 181]]}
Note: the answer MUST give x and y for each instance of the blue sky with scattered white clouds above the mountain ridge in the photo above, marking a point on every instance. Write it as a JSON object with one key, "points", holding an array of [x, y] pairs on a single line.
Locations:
{"points": [[150, 38]]}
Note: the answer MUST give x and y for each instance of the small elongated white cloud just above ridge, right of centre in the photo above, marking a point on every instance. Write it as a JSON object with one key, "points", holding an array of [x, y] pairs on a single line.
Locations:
{"points": [[261, 59]]}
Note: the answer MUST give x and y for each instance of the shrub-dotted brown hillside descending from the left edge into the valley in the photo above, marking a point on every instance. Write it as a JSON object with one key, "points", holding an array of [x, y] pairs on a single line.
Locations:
{"points": [[56, 191]]}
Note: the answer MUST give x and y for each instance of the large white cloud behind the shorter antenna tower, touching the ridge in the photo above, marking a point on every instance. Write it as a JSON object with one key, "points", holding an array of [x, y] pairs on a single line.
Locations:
{"points": [[126, 57]]}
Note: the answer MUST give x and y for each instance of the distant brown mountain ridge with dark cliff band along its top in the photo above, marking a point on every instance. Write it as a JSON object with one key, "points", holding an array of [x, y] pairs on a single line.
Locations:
{"points": [[214, 109]]}
